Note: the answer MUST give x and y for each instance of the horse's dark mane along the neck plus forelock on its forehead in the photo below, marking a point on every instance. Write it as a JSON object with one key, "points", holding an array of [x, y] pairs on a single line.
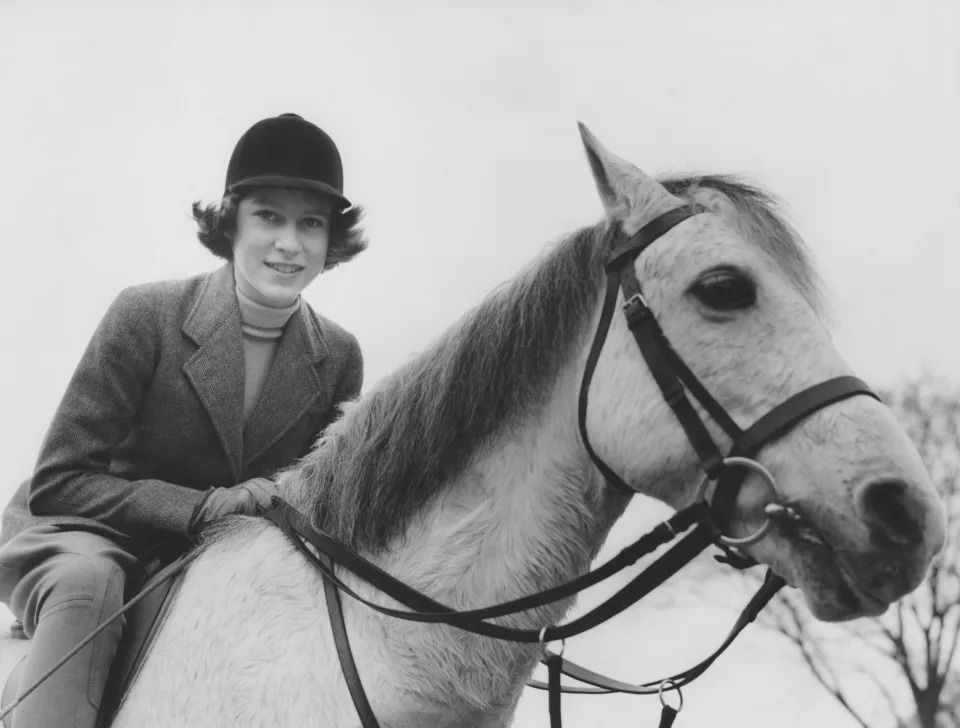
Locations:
{"points": [[394, 450]]}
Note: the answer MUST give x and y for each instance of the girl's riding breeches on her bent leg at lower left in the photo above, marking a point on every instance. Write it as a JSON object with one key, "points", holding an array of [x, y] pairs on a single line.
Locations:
{"points": [[75, 579]]}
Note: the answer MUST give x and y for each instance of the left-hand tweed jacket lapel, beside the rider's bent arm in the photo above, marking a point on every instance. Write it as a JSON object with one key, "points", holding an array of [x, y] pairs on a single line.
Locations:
{"points": [[216, 369]]}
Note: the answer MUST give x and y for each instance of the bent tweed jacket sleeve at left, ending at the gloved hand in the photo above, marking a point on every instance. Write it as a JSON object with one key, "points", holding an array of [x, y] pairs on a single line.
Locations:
{"points": [[97, 412]]}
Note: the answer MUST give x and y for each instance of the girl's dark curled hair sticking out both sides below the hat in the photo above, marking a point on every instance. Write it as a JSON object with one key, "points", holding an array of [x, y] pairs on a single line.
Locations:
{"points": [[216, 223]]}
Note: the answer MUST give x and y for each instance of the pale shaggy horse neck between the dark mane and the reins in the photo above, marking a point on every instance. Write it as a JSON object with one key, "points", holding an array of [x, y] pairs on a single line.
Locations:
{"points": [[527, 513]]}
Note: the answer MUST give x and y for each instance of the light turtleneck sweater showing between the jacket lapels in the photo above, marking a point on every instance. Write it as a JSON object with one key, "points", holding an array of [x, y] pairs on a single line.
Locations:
{"points": [[262, 328]]}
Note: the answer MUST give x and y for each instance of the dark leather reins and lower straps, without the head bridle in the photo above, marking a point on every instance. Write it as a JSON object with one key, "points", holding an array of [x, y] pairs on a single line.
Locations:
{"points": [[421, 608]]}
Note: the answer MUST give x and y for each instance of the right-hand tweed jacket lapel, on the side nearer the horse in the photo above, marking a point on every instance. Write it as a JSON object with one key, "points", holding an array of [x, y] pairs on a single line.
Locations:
{"points": [[292, 385]]}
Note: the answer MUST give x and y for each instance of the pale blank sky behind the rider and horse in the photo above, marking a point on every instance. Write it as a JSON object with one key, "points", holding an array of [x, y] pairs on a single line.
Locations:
{"points": [[457, 125]]}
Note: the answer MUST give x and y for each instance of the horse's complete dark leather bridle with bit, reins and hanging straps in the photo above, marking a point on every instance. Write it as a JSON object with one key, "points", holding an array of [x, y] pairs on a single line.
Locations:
{"points": [[696, 526]]}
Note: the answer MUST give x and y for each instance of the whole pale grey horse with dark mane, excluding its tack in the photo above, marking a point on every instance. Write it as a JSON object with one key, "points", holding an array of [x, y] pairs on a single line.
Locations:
{"points": [[465, 476]]}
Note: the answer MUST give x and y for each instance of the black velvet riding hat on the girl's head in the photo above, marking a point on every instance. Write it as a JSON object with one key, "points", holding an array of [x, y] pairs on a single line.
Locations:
{"points": [[287, 151]]}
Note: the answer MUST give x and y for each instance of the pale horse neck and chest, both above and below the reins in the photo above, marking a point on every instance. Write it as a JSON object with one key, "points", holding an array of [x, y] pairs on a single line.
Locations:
{"points": [[527, 513]]}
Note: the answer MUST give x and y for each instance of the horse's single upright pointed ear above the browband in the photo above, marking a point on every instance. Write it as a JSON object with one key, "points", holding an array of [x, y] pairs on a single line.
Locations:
{"points": [[628, 194]]}
